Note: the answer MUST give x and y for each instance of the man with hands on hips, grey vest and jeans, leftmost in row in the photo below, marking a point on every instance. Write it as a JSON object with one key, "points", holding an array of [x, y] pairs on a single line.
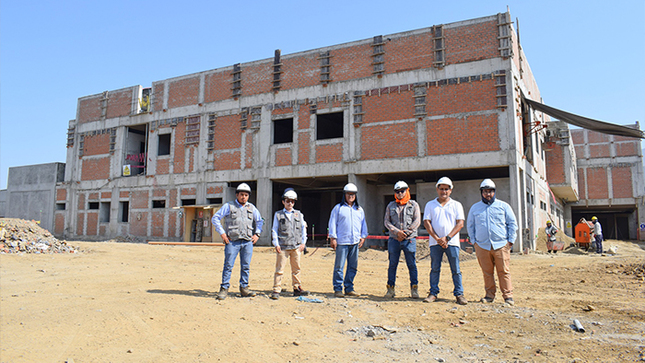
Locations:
{"points": [[243, 228]]}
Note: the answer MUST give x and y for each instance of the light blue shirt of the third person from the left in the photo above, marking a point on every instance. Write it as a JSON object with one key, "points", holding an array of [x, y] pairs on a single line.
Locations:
{"points": [[347, 224]]}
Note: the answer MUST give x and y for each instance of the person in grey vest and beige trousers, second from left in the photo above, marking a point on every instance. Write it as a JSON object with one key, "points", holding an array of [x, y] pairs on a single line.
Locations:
{"points": [[289, 237]]}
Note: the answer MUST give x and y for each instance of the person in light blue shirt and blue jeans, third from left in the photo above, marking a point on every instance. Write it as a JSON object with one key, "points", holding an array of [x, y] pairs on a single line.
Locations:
{"points": [[347, 233]]}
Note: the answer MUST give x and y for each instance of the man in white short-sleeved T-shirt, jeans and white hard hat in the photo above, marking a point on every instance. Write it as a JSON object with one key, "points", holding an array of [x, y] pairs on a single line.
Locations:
{"points": [[443, 217]]}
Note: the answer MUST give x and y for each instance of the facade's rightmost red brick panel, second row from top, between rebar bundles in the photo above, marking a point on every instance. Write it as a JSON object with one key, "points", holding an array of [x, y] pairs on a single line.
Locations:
{"points": [[463, 97]]}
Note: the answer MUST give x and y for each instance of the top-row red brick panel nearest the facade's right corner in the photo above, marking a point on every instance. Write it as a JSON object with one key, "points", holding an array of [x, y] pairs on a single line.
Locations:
{"points": [[471, 42]]}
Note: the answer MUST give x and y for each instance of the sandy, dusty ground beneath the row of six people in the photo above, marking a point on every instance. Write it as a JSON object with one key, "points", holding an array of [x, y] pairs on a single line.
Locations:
{"points": [[128, 302]]}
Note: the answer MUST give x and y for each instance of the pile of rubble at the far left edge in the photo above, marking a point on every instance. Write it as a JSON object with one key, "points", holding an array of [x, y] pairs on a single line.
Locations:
{"points": [[21, 236]]}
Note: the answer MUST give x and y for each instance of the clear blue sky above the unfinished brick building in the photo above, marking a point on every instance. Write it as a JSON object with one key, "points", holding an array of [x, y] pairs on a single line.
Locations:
{"points": [[588, 56]]}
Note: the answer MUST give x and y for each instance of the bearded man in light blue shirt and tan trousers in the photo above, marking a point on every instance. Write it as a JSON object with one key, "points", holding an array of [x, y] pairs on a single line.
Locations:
{"points": [[492, 228]]}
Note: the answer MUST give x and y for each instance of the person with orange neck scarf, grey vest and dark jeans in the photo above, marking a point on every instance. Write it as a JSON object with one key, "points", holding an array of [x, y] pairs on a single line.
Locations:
{"points": [[402, 219]]}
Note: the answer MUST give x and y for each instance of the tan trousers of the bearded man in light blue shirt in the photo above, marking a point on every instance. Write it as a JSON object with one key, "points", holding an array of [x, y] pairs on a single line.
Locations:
{"points": [[499, 260]]}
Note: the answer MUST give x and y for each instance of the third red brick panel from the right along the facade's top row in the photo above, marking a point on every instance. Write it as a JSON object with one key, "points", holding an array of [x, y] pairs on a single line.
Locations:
{"points": [[351, 62]]}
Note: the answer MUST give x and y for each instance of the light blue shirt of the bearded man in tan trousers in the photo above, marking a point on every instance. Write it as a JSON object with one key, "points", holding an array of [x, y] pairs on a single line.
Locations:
{"points": [[492, 226]]}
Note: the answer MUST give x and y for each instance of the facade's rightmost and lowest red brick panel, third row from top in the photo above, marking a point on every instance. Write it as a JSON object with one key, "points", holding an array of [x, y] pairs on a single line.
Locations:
{"points": [[470, 134]]}
